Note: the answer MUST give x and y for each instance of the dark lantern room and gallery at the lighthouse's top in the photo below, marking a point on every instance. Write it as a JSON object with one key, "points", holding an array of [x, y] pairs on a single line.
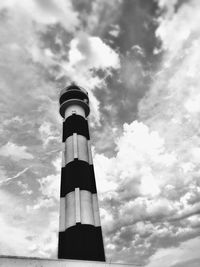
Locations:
{"points": [[74, 95]]}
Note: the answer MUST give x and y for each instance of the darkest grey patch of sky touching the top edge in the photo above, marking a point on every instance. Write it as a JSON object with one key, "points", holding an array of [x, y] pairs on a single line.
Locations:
{"points": [[137, 26]]}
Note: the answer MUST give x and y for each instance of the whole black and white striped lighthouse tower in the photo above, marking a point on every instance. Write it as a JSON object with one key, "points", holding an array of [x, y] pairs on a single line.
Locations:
{"points": [[80, 235]]}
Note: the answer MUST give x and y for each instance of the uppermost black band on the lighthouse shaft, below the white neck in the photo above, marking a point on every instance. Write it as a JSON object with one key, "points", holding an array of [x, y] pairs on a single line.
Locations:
{"points": [[75, 124]]}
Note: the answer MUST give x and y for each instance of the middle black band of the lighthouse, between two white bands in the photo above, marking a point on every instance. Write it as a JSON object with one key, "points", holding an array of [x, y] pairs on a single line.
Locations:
{"points": [[77, 173]]}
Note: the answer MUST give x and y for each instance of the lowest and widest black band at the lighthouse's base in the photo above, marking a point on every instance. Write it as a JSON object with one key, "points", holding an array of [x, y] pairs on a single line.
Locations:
{"points": [[77, 242]]}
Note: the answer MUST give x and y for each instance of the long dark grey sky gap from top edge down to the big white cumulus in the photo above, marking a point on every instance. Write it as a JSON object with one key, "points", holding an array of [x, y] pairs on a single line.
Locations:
{"points": [[126, 87]]}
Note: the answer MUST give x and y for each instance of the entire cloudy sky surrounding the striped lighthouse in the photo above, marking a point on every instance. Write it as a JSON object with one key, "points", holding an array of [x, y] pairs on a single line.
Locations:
{"points": [[139, 60]]}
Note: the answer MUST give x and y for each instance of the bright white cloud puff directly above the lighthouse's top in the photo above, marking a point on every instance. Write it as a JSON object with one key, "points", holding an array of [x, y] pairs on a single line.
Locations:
{"points": [[85, 56]]}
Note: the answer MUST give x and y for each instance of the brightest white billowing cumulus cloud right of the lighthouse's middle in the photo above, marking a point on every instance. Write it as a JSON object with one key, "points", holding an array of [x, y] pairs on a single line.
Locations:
{"points": [[141, 153]]}
